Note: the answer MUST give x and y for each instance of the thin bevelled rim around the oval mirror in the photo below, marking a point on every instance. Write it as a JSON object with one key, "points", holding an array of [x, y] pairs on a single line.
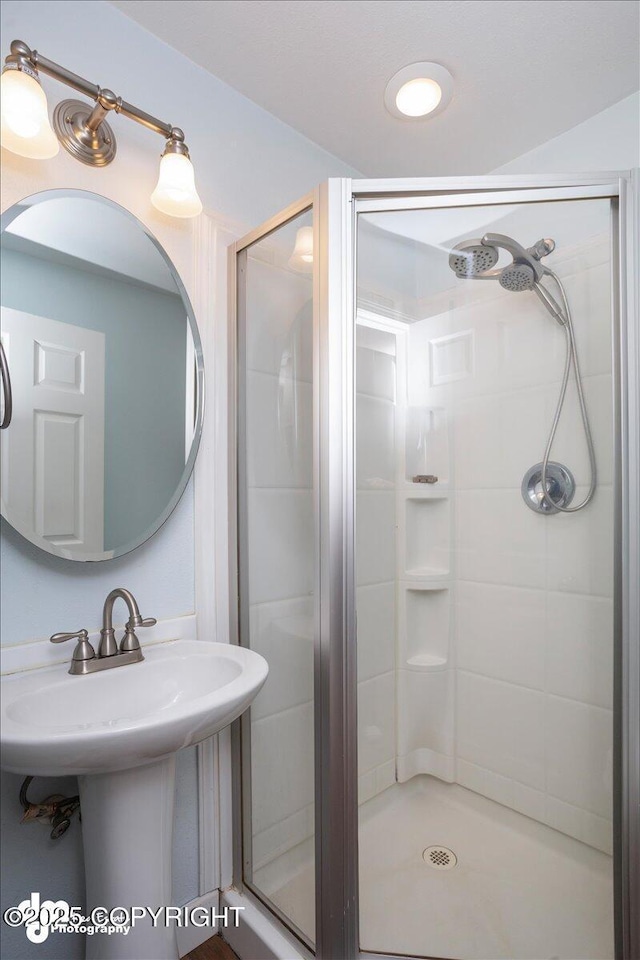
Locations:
{"points": [[7, 217]]}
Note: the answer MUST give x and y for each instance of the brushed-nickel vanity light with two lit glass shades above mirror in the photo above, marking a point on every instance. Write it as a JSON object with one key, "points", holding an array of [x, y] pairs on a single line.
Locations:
{"points": [[82, 129]]}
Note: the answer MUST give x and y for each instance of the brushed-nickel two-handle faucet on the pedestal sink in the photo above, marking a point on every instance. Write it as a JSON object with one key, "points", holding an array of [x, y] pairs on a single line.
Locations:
{"points": [[85, 660]]}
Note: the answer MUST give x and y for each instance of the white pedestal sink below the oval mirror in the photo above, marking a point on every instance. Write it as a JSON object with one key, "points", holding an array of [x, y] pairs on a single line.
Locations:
{"points": [[119, 731]]}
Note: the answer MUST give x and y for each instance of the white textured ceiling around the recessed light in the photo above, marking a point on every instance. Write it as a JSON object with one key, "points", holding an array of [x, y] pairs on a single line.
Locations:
{"points": [[524, 70]]}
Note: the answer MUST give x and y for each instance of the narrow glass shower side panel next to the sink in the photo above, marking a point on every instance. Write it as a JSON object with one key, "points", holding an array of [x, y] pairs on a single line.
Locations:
{"points": [[276, 566]]}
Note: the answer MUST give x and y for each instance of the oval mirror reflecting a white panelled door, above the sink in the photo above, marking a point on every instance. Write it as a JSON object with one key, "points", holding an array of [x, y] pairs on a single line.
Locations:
{"points": [[107, 377]]}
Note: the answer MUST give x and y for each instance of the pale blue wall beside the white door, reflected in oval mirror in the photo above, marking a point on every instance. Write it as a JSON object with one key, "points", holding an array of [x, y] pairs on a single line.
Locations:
{"points": [[145, 371]]}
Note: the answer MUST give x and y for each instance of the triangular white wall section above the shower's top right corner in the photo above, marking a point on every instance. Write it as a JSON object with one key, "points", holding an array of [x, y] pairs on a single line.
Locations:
{"points": [[610, 140]]}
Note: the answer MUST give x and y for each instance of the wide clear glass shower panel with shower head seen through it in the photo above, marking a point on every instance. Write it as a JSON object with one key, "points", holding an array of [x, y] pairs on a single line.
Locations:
{"points": [[485, 614]]}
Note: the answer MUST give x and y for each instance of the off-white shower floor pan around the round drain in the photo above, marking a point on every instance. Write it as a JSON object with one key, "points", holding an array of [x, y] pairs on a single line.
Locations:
{"points": [[519, 890]]}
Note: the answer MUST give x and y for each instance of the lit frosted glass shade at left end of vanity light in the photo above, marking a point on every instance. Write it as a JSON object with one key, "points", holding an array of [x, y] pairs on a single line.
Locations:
{"points": [[25, 121]]}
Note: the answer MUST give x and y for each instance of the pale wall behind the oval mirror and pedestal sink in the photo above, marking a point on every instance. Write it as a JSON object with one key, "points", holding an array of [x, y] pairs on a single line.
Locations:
{"points": [[226, 133]]}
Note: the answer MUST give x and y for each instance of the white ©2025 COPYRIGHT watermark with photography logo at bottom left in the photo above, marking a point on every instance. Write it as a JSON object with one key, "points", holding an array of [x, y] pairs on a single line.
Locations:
{"points": [[42, 917]]}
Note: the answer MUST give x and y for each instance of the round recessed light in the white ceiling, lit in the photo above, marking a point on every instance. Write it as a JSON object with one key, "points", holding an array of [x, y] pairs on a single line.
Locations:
{"points": [[418, 90]]}
